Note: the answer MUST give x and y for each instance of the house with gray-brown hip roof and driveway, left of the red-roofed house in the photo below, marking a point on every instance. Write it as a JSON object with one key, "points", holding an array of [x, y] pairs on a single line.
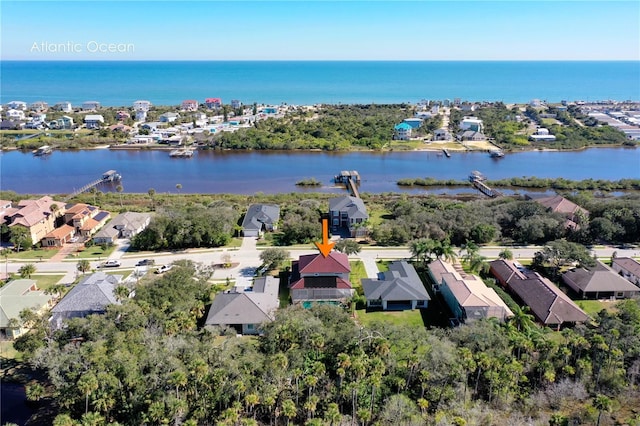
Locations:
{"points": [[246, 310]]}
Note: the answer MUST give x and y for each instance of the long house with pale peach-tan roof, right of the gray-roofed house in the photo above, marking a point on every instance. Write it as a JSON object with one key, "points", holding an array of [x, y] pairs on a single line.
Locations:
{"points": [[466, 295]]}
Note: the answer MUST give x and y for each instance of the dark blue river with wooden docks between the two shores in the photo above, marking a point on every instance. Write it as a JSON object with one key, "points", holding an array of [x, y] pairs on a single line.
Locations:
{"points": [[277, 172]]}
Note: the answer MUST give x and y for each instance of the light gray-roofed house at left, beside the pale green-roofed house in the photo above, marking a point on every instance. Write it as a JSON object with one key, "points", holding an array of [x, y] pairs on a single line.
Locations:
{"points": [[90, 296]]}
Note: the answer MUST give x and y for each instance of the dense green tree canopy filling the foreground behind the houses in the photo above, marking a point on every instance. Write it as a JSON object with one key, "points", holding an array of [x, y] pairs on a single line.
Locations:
{"points": [[146, 362]]}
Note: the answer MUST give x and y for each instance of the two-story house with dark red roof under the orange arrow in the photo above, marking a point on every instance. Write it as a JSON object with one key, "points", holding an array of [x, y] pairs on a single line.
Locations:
{"points": [[318, 279]]}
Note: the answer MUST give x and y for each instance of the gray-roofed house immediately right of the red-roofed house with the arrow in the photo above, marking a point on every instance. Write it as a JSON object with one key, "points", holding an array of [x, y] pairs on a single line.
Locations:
{"points": [[400, 289]]}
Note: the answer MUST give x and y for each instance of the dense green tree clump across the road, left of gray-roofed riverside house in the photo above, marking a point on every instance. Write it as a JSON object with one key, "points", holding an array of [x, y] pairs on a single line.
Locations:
{"points": [[192, 226]]}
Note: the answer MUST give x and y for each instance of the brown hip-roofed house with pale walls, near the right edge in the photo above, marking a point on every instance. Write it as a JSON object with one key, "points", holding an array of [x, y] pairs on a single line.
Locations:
{"points": [[599, 282]]}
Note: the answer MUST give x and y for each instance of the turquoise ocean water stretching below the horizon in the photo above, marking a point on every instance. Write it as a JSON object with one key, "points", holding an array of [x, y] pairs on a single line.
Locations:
{"points": [[119, 83]]}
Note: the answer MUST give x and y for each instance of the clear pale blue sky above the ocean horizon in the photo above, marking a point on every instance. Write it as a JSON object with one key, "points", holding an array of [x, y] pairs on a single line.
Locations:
{"points": [[309, 30]]}
